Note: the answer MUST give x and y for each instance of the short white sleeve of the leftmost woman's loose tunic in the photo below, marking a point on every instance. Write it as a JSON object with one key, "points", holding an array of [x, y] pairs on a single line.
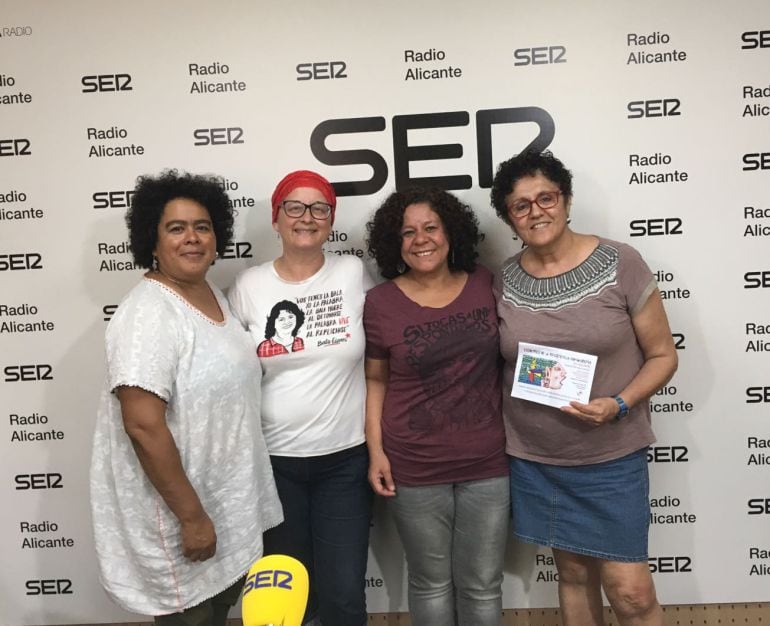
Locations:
{"points": [[142, 346]]}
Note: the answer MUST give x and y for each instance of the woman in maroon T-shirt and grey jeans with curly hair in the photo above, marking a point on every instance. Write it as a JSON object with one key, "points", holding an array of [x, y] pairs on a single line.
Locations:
{"points": [[433, 418]]}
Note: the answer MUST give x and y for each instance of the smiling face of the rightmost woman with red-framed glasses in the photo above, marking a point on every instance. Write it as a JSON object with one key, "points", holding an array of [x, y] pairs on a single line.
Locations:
{"points": [[540, 228]]}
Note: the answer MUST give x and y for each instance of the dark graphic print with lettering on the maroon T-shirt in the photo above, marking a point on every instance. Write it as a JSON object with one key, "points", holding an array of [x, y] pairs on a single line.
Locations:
{"points": [[441, 352]]}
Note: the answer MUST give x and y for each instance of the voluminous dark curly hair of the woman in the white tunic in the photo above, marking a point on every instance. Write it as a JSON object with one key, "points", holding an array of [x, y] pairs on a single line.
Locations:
{"points": [[153, 193]]}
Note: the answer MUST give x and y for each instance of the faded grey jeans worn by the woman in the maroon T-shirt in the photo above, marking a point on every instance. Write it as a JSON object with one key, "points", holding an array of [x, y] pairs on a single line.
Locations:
{"points": [[454, 538]]}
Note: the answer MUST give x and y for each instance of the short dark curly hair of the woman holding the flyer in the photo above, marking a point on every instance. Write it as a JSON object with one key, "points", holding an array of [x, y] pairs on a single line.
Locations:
{"points": [[528, 163]]}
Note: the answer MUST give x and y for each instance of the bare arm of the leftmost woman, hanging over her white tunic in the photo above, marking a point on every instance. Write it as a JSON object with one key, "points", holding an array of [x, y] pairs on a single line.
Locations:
{"points": [[144, 420]]}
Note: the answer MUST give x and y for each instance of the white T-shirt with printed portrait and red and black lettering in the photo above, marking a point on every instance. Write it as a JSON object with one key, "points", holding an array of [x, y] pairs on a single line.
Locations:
{"points": [[312, 391]]}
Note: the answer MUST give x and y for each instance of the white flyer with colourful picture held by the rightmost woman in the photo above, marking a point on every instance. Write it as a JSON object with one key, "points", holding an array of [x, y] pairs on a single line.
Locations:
{"points": [[552, 376]]}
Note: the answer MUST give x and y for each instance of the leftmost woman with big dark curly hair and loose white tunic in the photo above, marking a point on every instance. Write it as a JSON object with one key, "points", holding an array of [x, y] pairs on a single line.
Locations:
{"points": [[181, 485]]}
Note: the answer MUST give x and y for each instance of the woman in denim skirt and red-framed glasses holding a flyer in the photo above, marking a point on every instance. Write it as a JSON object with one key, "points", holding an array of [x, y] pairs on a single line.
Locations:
{"points": [[579, 480]]}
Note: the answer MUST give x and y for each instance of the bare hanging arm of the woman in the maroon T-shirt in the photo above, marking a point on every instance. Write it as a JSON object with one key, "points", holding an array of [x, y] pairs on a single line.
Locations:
{"points": [[380, 478]]}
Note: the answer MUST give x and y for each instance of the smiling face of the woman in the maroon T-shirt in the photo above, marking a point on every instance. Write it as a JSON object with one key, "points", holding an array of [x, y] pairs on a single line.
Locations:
{"points": [[424, 244]]}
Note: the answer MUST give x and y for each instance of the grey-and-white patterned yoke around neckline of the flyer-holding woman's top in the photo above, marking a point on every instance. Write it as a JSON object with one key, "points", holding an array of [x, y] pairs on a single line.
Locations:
{"points": [[588, 279]]}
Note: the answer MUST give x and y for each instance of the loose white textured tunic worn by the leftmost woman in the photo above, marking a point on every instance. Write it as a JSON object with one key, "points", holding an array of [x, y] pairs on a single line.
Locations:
{"points": [[208, 374]]}
